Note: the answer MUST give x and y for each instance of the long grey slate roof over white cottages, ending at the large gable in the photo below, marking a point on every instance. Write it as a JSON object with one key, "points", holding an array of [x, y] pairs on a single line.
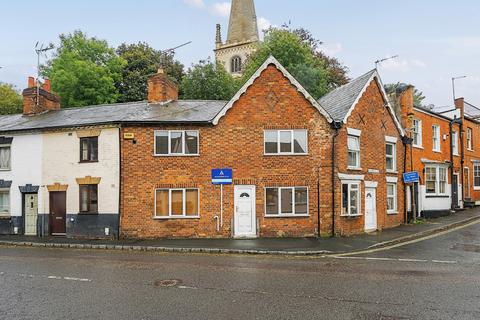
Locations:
{"points": [[181, 111]]}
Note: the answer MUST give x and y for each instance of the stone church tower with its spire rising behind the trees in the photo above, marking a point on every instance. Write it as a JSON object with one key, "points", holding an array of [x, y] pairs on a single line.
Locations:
{"points": [[242, 37]]}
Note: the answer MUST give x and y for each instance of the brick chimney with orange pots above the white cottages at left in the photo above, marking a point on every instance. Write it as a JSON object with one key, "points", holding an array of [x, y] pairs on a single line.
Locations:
{"points": [[46, 99]]}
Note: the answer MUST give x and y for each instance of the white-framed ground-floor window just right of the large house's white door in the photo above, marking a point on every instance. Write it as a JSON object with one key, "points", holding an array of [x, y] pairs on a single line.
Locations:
{"points": [[286, 201]]}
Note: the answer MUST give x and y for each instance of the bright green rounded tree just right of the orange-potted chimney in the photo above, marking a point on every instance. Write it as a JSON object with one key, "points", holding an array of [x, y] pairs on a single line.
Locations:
{"points": [[84, 71]]}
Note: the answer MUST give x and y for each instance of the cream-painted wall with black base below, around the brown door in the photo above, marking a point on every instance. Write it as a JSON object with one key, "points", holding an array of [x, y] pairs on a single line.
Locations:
{"points": [[61, 164]]}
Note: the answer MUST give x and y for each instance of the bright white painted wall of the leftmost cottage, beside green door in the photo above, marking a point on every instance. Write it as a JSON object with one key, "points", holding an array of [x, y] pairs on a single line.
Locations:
{"points": [[26, 167]]}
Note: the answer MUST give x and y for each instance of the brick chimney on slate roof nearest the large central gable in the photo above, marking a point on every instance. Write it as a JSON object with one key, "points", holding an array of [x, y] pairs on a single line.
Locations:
{"points": [[161, 88]]}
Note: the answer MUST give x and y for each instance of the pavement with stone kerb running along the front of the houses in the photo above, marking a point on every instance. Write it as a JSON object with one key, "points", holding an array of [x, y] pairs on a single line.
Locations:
{"points": [[279, 246]]}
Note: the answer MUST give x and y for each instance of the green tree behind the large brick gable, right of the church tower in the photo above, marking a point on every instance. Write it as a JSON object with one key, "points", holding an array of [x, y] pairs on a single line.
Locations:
{"points": [[297, 51]]}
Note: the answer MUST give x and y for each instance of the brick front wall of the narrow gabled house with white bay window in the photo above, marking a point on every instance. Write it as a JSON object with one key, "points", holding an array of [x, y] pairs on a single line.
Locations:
{"points": [[375, 122]]}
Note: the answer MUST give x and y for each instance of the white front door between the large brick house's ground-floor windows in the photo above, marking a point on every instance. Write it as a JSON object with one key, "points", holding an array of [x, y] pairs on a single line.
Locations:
{"points": [[244, 216]]}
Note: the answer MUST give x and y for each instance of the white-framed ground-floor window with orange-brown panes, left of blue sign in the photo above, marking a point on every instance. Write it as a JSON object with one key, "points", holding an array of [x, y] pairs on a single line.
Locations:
{"points": [[177, 203]]}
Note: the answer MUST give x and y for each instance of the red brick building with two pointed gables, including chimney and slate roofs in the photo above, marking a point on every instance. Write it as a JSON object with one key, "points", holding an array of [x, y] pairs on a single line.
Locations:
{"points": [[294, 159]]}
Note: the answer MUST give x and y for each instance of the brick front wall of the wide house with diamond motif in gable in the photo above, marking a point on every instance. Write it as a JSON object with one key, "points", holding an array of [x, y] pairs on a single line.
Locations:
{"points": [[236, 142]]}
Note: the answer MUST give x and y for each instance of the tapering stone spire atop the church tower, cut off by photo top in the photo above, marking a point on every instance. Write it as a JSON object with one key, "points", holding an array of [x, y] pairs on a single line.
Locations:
{"points": [[243, 22]]}
